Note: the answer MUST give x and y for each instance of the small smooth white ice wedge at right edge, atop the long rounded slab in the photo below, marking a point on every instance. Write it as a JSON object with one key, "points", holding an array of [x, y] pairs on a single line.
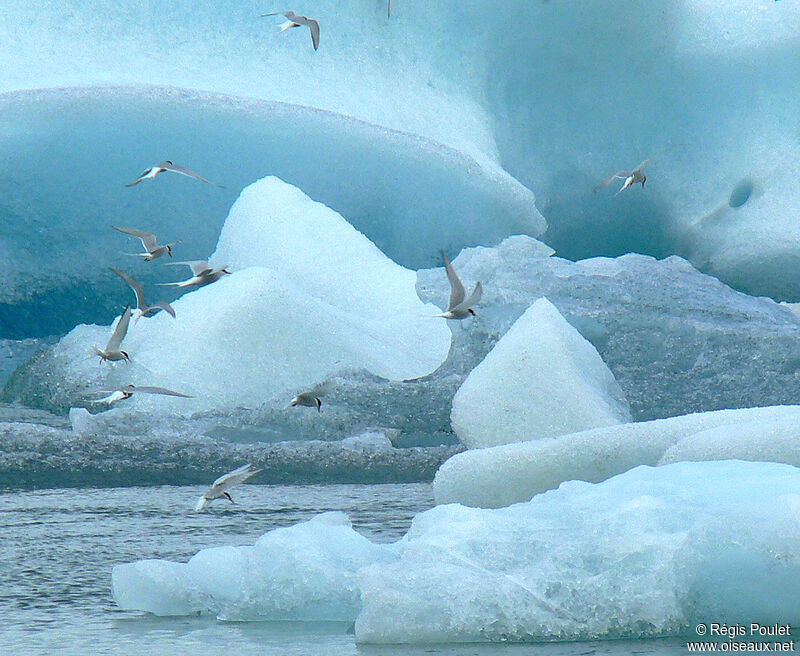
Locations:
{"points": [[768, 441]]}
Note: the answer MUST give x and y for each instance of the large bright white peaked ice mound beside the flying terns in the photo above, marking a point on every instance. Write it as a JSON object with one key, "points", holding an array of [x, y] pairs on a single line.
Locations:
{"points": [[261, 333]]}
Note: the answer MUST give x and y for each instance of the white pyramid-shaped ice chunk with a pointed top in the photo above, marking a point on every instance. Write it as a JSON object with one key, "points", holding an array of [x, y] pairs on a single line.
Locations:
{"points": [[541, 379]]}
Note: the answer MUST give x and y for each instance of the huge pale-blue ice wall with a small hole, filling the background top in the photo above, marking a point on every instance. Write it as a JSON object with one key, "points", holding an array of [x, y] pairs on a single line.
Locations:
{"points": [[590, 117]]}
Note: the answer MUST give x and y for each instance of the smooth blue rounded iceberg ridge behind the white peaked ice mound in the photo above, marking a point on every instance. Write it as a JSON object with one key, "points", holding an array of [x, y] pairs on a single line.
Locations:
{"points": [[387, 183]]}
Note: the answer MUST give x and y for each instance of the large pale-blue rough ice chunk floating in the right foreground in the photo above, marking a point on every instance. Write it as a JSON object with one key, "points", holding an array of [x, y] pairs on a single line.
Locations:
{"points": [[642, 554]]}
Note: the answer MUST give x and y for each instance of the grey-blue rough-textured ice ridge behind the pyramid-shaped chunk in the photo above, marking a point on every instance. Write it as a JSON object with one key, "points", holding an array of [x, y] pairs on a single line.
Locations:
{"points": [[677, 341]]}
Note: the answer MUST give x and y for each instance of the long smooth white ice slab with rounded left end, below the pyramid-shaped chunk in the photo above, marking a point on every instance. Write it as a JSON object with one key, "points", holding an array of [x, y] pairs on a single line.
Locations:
{"points": [[506, 474]]}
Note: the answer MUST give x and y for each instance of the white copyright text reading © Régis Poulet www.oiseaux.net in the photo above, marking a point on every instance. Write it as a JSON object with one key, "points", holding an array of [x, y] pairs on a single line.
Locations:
{"points": [[753, 638]]}
